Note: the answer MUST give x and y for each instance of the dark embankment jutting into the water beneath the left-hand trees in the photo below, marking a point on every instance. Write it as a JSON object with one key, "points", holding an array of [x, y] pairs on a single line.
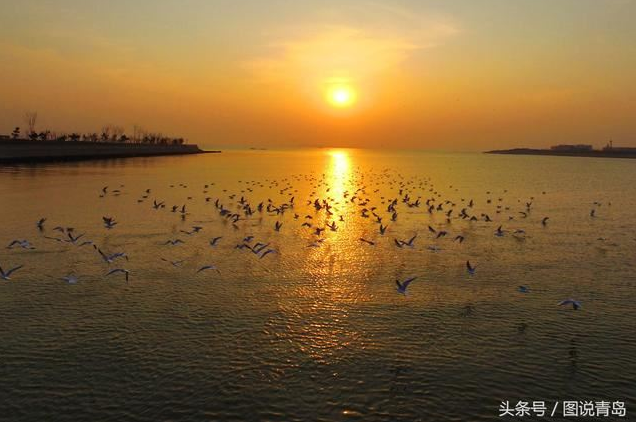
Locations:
{"points": [[27, 151]]}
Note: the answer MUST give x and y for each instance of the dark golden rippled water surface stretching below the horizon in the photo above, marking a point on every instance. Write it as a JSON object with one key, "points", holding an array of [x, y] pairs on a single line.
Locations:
{"points": [[316, 330]]}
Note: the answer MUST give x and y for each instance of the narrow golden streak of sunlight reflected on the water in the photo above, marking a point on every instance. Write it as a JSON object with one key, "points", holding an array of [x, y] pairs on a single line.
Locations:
{"points": [[331, 287]]}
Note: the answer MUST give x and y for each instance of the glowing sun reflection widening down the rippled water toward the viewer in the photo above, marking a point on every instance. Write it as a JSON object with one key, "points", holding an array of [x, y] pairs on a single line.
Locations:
{"points": [[326, 302]]}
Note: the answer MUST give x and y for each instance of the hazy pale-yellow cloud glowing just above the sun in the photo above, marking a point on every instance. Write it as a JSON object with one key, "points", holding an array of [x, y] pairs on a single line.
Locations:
{"points": [[379, 39]]}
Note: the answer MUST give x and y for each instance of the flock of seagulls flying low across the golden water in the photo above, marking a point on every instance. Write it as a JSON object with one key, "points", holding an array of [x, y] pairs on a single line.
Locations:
{"points": [[323, 216]]}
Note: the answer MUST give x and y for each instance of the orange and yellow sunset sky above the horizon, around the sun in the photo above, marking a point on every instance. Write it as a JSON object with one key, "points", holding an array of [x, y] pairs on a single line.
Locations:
{"points": [[453, 75]]}
